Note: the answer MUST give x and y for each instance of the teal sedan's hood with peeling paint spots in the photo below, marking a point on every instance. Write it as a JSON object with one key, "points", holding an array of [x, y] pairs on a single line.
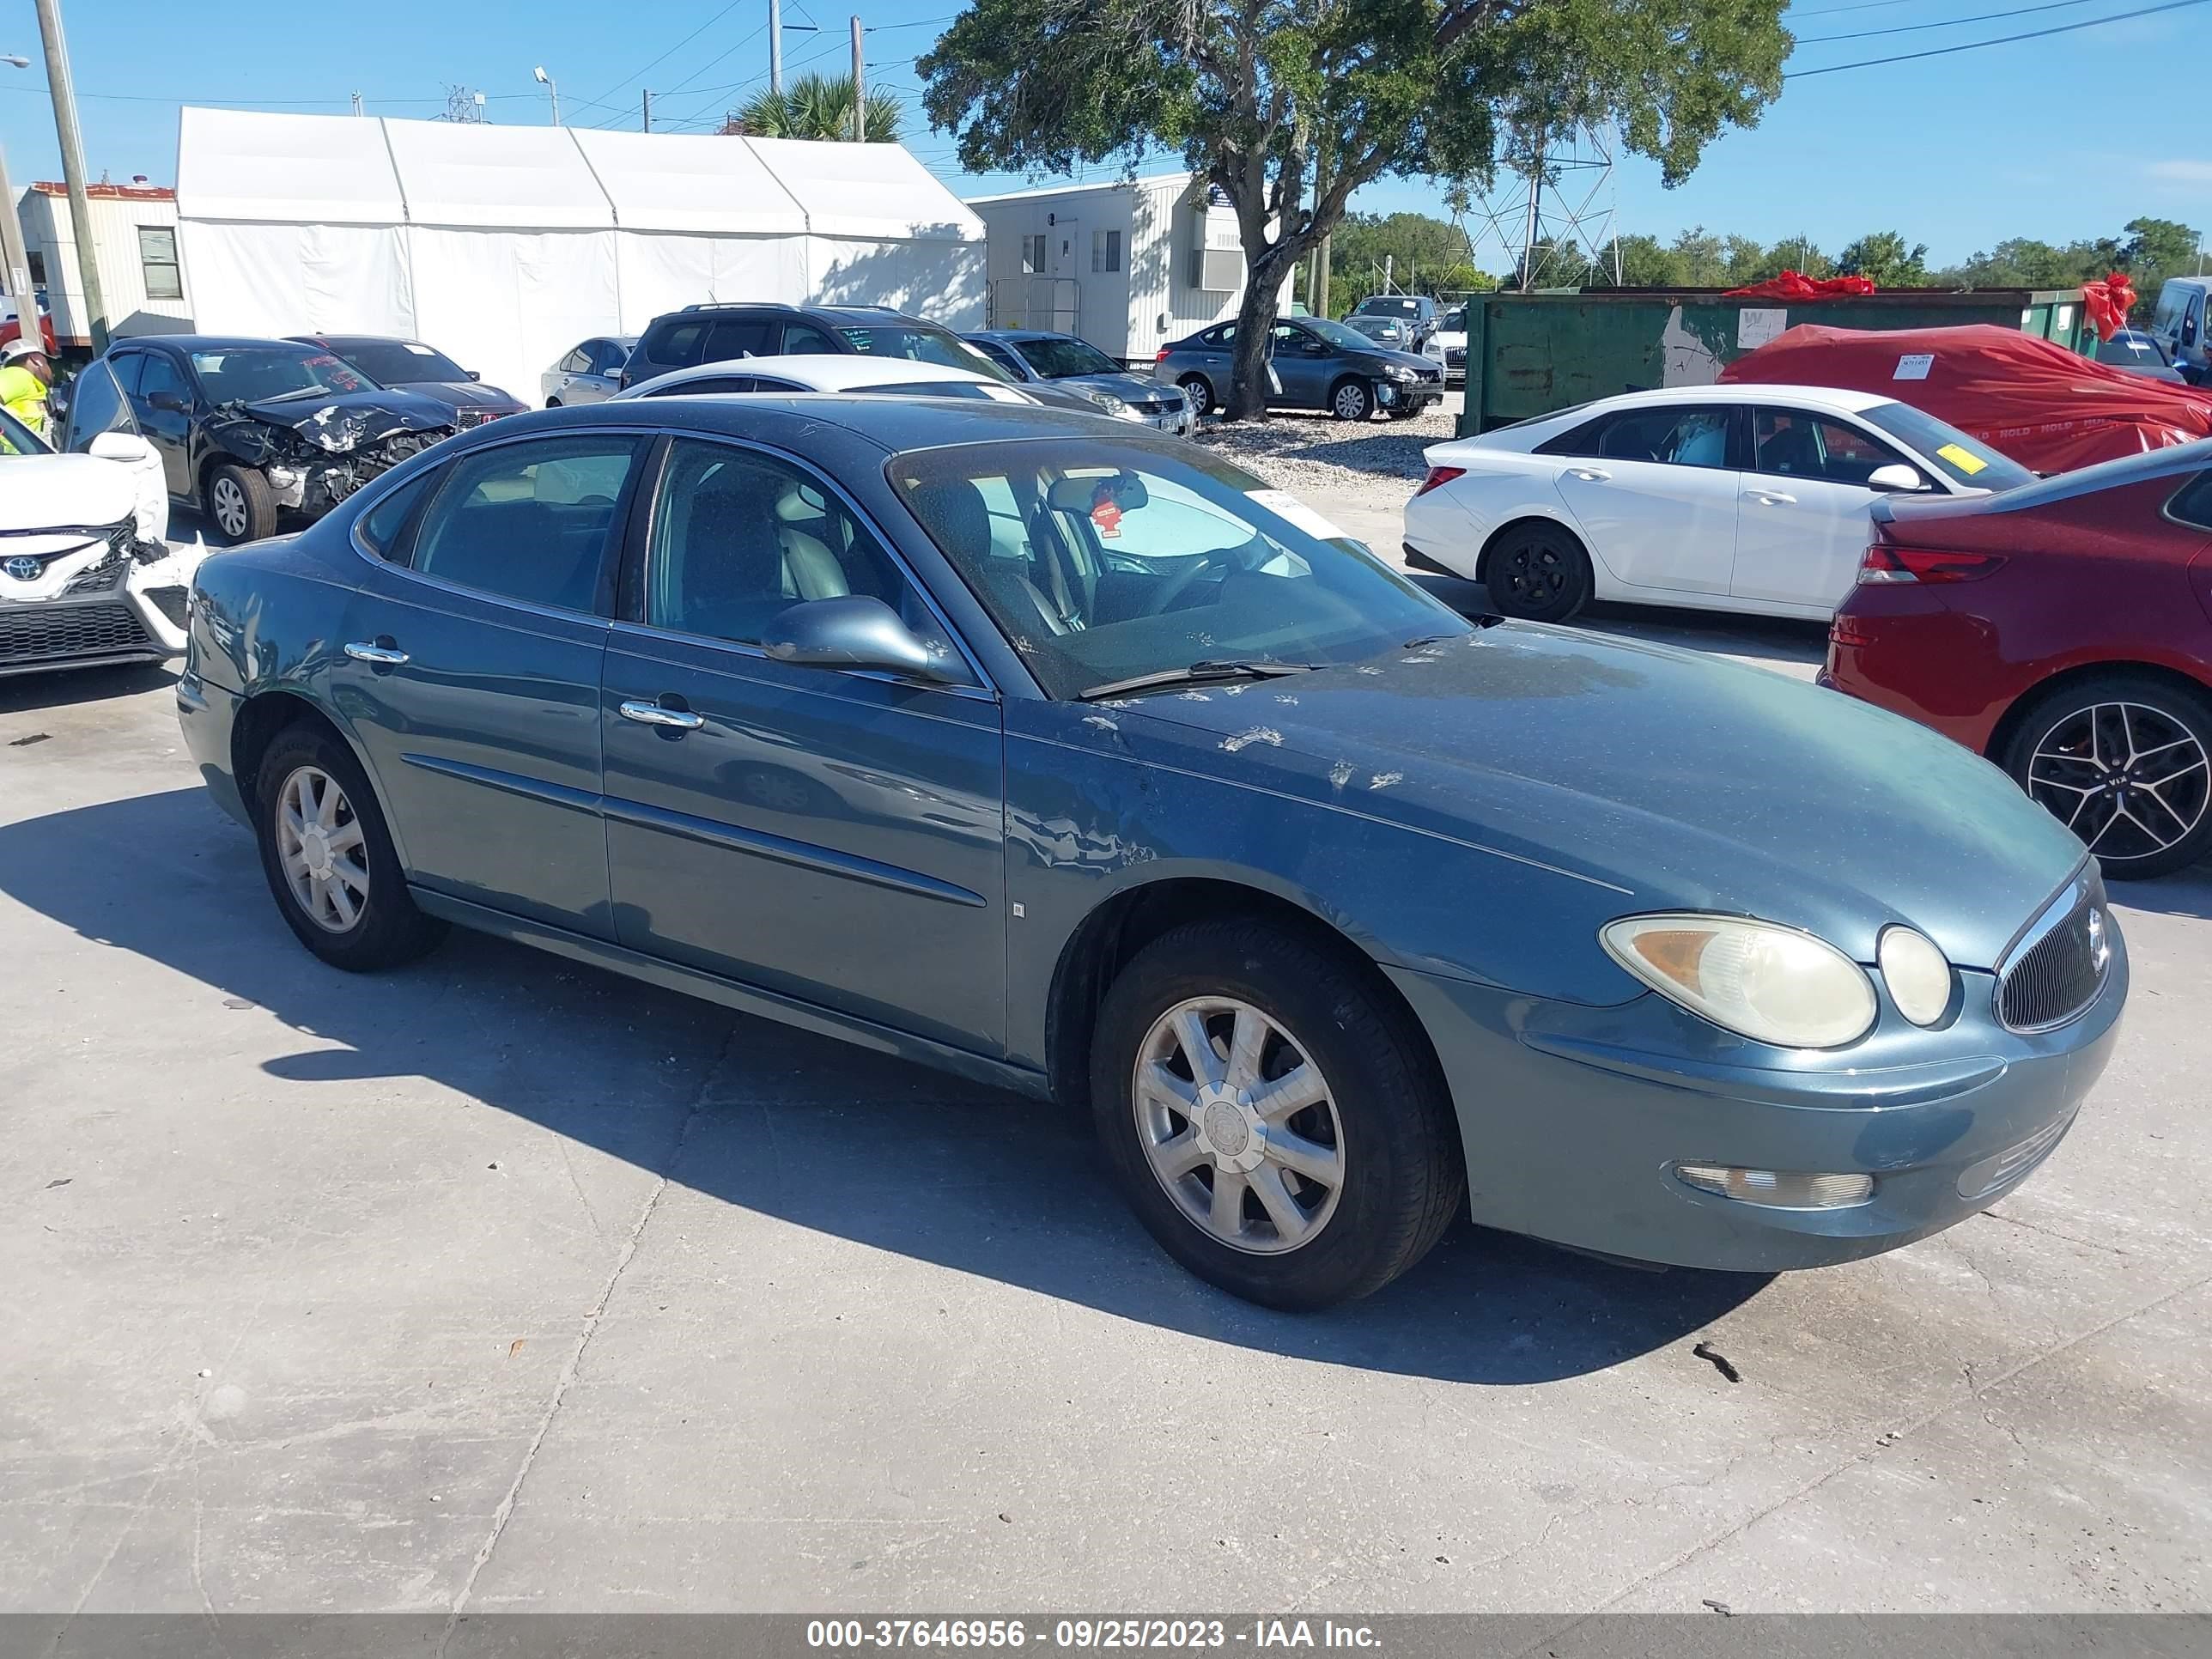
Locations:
{"points": [[1687, 782]]}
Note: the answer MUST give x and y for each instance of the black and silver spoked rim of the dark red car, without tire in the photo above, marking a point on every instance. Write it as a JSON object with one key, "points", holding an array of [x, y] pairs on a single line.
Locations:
{"points": [[2127, 778]]}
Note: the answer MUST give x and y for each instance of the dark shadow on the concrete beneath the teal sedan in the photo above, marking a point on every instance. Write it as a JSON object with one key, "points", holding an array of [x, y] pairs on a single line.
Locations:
{"points": [[806, 1129]]}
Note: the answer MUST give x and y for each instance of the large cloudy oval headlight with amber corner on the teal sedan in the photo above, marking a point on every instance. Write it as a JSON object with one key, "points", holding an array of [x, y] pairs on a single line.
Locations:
{"points": [[1755, 979]]}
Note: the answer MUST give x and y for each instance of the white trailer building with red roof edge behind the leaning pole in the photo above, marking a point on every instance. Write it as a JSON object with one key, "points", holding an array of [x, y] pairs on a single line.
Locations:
{"points": [[134, 251]]}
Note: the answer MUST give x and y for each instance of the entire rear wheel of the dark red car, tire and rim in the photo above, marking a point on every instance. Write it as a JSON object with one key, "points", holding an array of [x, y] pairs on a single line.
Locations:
{"points": [[2127, 764]]}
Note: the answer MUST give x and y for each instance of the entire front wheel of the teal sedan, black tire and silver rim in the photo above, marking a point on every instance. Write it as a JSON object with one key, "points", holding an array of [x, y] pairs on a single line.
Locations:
{"points": [[1384, 1123]]}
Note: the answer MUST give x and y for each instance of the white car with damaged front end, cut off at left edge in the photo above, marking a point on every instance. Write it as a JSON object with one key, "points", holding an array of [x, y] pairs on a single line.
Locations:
{"points": [[85, 567]]}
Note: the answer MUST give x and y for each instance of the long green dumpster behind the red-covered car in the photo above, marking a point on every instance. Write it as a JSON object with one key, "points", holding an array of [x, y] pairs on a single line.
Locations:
{"points": [[1530, 355]]}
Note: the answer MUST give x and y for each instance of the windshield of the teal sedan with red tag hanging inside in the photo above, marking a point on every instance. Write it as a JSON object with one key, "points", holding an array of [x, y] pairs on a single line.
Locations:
{"points": [[1105, 561]]}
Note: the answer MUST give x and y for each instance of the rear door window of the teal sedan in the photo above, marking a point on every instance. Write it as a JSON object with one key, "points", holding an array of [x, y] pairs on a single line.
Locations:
{"points": [[530, 521]]}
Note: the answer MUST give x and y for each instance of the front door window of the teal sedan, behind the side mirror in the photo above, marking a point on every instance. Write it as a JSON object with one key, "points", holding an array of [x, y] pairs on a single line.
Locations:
{"points": [[738, 539]]}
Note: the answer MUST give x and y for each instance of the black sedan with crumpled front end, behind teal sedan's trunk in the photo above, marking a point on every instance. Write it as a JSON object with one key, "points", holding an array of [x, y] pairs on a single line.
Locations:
{"points": [[251, 430]]}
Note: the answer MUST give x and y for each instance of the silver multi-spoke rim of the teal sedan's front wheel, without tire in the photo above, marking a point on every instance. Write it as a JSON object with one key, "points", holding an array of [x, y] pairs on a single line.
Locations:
{"points": [[1240, 1127]]}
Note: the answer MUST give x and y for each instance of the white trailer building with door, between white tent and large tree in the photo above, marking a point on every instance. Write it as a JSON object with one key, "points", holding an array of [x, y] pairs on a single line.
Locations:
{"points": [[1129, 264]]}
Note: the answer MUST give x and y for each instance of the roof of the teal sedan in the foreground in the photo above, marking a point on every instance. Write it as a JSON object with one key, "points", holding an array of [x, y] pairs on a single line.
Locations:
{"points": [[888, 424]]}
